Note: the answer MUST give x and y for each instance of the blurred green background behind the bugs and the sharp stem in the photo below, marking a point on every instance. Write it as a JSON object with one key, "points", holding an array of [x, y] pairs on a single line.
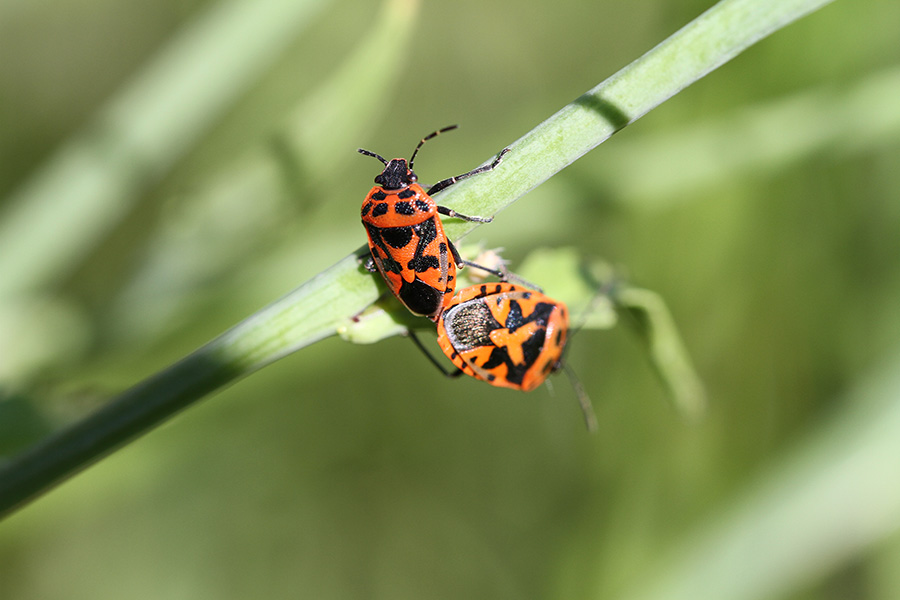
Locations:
{"points": [[761, 202]]}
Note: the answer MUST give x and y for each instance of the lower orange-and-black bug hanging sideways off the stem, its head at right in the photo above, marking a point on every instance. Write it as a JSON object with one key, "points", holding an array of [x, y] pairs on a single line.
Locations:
{"points": [[504, 334]]}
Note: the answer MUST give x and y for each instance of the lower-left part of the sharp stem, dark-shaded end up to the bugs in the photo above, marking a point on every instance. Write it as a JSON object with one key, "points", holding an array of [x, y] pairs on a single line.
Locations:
{"points": [[261, 339]]}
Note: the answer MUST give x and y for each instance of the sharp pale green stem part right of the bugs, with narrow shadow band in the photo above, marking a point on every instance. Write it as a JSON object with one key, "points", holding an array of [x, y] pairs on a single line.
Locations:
{"points": [[713, 38]]}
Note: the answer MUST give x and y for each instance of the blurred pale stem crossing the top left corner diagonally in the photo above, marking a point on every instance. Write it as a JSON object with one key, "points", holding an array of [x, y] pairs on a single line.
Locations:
{"points": [[55, 219]]}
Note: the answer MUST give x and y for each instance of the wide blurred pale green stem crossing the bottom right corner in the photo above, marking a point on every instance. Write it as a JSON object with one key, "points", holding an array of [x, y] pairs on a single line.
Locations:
{"points": [[828, 499]]}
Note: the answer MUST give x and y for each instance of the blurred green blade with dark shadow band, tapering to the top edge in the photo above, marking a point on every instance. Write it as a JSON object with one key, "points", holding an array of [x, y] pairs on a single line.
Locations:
{"points": [[203, 239]]}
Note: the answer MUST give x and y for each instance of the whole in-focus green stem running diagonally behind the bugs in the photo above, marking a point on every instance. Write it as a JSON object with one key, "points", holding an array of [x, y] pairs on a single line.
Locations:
{"points": [[316, 308]]}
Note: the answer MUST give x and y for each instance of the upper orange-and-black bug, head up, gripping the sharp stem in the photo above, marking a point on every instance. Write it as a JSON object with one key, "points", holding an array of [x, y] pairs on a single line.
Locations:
{"points": [[406, 238]]}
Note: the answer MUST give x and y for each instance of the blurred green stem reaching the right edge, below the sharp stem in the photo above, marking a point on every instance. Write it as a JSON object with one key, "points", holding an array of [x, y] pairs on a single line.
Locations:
{"points": [[841, 121]]}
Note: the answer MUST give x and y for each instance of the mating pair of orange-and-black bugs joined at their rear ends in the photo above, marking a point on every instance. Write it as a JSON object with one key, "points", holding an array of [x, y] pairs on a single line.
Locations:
{"points": [[506, 334]]}
